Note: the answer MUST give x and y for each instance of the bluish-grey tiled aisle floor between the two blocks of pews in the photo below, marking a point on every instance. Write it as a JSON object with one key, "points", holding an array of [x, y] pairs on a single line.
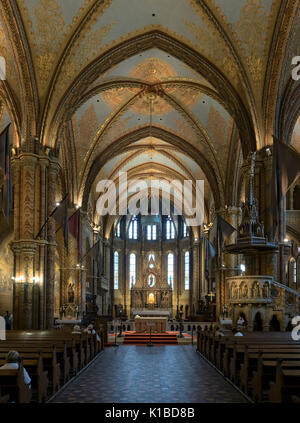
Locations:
{"points": [[175, 374]]}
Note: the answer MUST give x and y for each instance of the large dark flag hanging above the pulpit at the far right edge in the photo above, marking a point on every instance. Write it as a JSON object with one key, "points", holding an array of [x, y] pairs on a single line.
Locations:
{"points": [[285, 169]]}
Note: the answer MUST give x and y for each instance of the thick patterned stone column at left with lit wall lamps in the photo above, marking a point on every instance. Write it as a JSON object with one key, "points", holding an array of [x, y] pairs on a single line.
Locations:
{"points": [[29, 215]]}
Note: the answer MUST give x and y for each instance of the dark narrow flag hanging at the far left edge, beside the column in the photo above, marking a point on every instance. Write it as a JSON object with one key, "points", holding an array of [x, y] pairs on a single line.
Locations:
{"points": [[5, 165]]}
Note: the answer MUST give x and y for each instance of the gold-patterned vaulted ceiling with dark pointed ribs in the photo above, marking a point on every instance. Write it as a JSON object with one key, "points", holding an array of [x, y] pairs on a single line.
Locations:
{"points": [[176, 87]]}
